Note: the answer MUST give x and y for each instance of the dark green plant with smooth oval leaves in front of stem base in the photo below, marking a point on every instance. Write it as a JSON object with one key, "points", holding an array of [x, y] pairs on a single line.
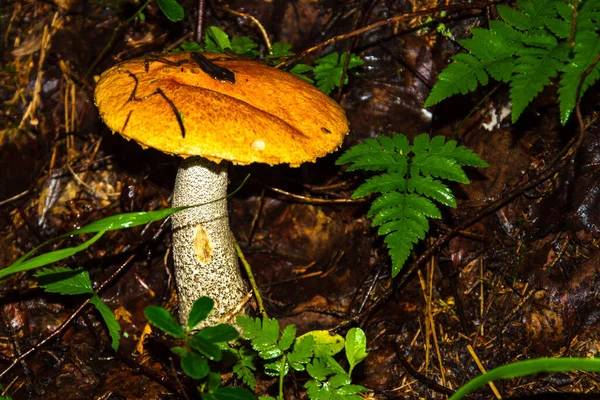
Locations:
{"points": [[200, 348]]}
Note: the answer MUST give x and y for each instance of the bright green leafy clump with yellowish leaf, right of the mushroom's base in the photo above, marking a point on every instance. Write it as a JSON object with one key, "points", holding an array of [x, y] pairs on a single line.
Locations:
{"points": [[312, 352]]}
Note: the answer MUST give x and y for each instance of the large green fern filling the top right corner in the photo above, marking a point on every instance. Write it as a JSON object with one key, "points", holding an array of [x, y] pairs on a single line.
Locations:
{"points": [[538, 42]]}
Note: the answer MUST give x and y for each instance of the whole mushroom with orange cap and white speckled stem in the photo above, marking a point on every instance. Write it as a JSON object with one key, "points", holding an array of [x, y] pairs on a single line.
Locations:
{"points": [[210, 108]]}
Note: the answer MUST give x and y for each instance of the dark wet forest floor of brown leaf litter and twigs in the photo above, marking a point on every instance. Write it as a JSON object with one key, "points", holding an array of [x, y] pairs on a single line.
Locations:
{"points": [[520, 280]]}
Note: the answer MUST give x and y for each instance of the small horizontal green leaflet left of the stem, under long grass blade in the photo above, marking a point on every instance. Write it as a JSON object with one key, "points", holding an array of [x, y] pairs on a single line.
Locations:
{"points": [[64, 280]]}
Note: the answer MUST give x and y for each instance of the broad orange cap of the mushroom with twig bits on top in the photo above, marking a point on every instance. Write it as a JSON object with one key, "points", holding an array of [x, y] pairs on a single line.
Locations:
{"points": [[266, 115]]}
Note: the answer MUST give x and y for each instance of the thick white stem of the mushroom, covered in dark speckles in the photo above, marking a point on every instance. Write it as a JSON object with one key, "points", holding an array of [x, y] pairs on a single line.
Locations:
{"points": [[203, 246]]}
